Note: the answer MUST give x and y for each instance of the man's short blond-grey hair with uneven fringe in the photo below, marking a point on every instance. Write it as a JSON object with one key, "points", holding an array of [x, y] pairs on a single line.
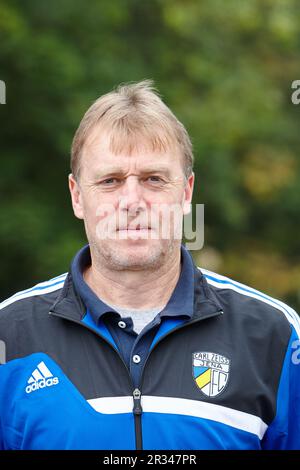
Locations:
{"points": [[133, 113]]}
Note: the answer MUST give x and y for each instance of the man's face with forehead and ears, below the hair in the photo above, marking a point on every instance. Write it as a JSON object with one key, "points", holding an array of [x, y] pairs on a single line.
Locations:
{"points": [[132, 205]]}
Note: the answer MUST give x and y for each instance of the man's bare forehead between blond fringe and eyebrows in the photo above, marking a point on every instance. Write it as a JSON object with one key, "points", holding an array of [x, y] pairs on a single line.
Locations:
{"points": [[99, 152]]}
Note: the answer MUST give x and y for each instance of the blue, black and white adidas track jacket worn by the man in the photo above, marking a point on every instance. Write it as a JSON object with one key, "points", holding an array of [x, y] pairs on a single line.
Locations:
{"points": [[228, 378]]}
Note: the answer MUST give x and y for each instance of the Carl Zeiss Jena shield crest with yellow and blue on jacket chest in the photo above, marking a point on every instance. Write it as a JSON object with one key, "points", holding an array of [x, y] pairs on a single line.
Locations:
{"points": [[210, 372]]}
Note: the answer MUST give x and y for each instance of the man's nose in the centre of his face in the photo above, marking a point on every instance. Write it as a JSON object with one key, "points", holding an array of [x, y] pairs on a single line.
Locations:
{"points": [[131, 198]]}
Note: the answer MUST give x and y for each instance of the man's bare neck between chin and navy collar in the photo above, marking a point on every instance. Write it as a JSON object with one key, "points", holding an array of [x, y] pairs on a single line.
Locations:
{"points": [[135, 289]]}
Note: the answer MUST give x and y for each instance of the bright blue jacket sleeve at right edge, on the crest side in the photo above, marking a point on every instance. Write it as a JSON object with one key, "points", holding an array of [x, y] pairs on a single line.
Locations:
{"points": [[284, 432]]}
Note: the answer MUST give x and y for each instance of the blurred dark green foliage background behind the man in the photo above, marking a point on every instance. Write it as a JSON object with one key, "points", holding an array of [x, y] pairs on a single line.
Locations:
{"points": [[224, 67]]}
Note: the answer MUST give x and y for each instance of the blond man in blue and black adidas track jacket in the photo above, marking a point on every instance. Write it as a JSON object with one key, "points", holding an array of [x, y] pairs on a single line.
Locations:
{"points": [[136, 347]]}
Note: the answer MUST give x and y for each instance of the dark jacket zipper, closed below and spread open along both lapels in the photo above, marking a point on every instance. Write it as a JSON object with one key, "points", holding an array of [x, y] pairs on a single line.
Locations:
{"points": [[137, 394]]}
